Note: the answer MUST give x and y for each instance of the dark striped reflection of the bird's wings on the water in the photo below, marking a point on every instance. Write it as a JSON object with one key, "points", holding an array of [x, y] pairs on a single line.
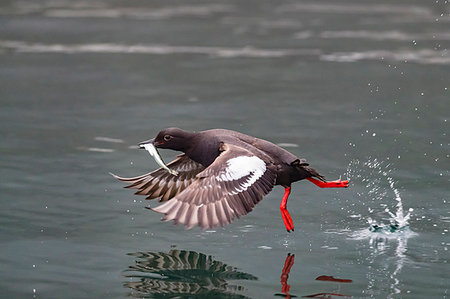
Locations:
{"points": [[181, 274]]}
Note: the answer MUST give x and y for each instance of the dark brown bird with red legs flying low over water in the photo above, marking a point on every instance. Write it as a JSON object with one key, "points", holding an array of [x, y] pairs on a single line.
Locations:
{"points": [[222, 175]]}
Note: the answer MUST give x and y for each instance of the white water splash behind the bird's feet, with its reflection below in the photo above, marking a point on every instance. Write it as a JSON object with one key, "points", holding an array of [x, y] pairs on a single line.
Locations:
{"points": [[388, 230]]}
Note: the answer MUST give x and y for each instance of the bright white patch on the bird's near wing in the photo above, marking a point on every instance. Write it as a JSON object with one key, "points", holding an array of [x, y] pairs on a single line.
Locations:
{"points": [[240, 167]]}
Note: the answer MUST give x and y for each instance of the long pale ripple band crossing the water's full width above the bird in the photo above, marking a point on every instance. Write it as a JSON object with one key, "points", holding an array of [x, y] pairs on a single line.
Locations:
{"points": [[423, 56]]}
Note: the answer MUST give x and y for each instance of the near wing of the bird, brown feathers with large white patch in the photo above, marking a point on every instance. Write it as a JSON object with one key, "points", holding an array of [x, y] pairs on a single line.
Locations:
{"points": [[227, 189]]}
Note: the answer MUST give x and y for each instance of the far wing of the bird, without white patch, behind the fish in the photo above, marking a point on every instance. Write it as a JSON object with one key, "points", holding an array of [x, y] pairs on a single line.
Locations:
{"points": [[160, 183]]}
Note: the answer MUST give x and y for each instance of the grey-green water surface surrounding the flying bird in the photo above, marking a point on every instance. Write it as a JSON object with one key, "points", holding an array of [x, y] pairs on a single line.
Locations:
{"points": [[360, 89]]}
